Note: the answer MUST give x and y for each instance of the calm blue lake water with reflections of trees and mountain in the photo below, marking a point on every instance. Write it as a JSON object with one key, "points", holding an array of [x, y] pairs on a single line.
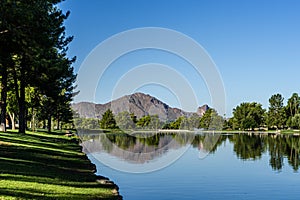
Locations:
{"points": [[210, 166]]}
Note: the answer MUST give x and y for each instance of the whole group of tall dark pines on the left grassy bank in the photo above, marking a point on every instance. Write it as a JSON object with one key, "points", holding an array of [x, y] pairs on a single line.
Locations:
{"points": [[37, 77]]}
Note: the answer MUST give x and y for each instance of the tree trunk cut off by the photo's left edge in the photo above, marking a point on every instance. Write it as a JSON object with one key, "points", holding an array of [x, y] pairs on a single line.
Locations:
{"points": [[3, 102]]}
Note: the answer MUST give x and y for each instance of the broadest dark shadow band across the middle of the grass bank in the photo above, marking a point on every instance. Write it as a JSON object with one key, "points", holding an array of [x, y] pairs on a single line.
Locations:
{"points": [[38, 162]]}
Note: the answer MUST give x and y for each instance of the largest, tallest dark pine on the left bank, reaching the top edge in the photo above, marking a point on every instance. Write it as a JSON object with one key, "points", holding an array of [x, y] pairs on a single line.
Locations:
{"points": [[32, 37]]}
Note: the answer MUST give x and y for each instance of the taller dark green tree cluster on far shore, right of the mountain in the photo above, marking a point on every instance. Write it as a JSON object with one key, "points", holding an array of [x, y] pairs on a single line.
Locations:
{"points": [[251, 115]]}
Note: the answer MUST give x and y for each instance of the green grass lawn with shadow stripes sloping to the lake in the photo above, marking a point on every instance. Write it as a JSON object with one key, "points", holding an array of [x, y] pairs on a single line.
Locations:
{"points": [[48, 166]]}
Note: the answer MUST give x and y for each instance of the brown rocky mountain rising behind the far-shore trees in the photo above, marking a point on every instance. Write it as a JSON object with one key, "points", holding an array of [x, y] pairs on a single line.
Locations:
{"points": [[138, 103]]}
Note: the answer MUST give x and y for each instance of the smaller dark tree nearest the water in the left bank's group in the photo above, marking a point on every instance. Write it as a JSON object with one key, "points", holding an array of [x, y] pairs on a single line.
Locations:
{"points": [[58, 92]]}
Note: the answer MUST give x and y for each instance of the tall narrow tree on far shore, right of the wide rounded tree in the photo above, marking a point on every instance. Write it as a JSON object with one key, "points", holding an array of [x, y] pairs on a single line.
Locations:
{"points": [[276, 115]]}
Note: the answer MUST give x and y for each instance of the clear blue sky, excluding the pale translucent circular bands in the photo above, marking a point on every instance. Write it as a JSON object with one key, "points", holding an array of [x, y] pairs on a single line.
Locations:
{"points": [[255, 44]]}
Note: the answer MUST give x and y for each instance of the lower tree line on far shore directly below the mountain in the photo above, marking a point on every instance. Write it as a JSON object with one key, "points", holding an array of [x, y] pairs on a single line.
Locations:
{"points": [[126, 121]]}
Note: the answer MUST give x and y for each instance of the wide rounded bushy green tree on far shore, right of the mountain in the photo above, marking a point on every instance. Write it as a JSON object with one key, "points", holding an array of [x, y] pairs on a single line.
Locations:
{"points": [[248, 116]]}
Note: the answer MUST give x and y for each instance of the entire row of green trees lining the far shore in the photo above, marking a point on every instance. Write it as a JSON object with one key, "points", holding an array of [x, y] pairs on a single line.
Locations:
{"points": [[246, 116]]}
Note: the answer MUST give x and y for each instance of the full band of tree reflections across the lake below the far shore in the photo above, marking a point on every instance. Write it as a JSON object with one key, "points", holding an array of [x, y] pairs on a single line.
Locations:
{"points": [[245, 146]]}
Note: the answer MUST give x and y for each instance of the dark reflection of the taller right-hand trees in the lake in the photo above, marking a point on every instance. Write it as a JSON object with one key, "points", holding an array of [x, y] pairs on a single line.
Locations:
{"points": [[279, 147]]}
